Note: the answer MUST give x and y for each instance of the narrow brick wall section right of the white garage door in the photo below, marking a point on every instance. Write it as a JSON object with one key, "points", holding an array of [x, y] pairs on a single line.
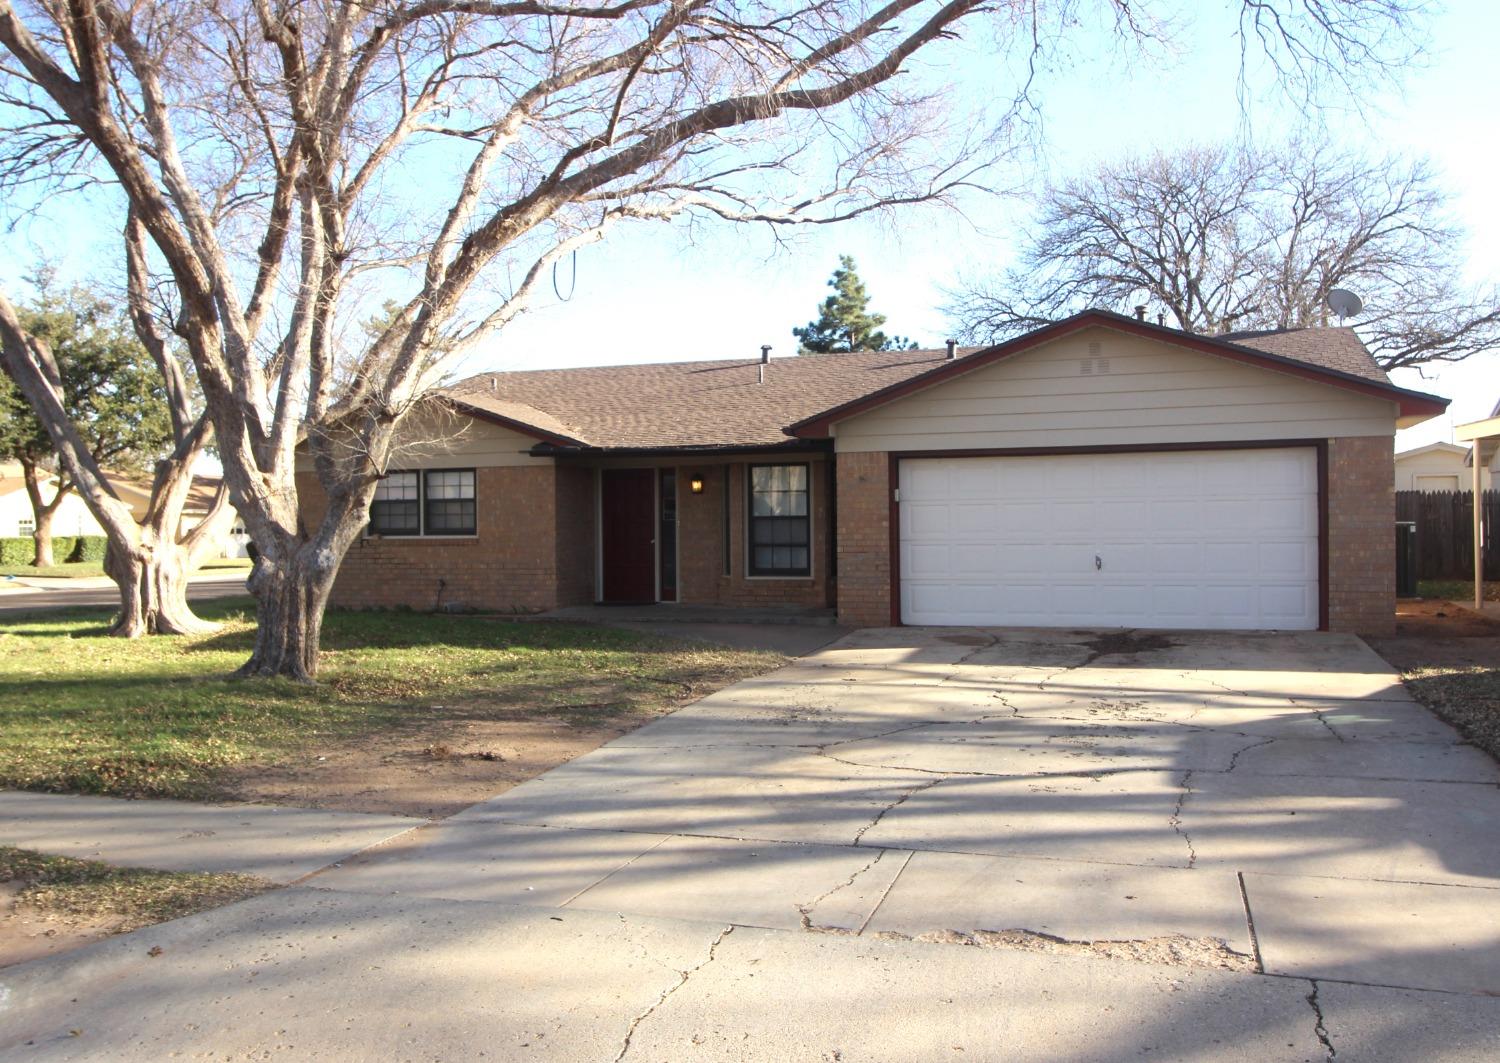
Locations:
{"points": [[1361, 536]]}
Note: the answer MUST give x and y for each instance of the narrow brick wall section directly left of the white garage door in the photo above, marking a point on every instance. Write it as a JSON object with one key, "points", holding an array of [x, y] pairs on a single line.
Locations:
{"points": [[865, 539]]}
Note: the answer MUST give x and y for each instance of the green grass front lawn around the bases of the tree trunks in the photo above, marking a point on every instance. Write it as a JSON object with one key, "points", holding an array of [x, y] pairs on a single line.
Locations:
{"points": [[160, 716]]}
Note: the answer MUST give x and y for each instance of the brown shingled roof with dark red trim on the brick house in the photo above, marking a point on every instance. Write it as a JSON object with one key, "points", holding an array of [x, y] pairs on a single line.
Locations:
{"points": [[722, 406]]}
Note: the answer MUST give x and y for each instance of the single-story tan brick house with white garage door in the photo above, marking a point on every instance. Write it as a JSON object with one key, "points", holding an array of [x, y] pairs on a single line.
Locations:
{"points": [[1096, 473]]}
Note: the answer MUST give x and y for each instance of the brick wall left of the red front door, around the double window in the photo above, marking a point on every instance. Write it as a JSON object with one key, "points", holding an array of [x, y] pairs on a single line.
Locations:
{"points": [[515, 563]]}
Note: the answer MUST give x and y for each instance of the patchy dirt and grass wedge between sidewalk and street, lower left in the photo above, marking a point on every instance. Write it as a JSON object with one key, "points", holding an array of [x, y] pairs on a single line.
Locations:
{"points": [[50, 905]]}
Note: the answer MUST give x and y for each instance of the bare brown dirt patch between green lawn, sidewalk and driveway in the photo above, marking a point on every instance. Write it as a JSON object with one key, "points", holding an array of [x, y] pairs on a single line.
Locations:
{"points": [[433, 770]]}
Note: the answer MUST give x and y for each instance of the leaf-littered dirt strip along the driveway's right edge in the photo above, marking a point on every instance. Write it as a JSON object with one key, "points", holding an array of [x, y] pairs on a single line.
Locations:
{"points": [[1450, 659]]}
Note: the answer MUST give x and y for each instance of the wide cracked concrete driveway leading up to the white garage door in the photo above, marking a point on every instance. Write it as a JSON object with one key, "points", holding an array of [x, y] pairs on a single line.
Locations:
{"points": [[916, 843]]}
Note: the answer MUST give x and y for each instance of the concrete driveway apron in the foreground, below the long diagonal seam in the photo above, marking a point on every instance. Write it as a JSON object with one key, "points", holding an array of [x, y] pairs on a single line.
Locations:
{"points": [[319, 975]]}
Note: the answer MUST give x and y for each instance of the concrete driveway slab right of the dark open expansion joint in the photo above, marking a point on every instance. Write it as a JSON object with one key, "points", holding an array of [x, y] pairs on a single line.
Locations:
{"points": [[1382, 933]]}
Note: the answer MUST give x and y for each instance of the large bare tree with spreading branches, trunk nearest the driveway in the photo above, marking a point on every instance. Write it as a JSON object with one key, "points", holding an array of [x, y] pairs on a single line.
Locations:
{"points": [[284, 158]]}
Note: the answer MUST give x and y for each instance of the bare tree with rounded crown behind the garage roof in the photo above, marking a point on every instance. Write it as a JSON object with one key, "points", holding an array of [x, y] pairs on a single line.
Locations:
{"points": [[1223, 239]]}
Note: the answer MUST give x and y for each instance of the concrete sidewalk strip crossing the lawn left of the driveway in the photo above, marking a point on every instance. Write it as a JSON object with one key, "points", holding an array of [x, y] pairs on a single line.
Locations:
{"points": [[281, 845]]}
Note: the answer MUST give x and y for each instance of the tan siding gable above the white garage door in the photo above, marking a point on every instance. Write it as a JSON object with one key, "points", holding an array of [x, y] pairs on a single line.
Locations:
{"points": [[1100, 388]]}
